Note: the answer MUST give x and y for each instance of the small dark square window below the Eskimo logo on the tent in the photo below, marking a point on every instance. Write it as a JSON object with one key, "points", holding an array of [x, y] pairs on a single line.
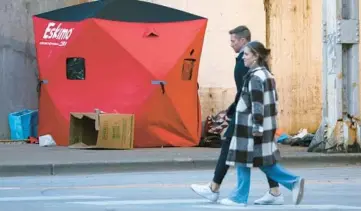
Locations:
{"points": [[75, 68]]}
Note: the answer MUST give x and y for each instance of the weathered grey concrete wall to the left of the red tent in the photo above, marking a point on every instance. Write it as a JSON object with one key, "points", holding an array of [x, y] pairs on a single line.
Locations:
{"points": [[18, 68]]}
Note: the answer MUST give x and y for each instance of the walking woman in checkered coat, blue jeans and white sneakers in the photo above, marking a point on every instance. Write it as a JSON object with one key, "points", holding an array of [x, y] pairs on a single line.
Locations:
{"points": [[253, 143]]}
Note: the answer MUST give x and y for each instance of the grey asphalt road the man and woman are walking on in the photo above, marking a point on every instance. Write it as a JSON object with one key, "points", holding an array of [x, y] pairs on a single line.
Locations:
{"points": [[336, 188]]}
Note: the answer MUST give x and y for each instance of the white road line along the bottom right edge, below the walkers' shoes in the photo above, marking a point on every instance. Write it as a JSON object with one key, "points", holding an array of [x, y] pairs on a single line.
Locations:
{"points": [[279, 207]]}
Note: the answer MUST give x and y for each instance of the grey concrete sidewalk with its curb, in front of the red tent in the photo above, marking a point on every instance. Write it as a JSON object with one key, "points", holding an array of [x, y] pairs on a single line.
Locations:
{"points": [[27, 159]]}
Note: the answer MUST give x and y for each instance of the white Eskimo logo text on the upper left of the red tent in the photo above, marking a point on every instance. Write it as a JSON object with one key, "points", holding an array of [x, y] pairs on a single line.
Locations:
{"points": [[58, 33]]}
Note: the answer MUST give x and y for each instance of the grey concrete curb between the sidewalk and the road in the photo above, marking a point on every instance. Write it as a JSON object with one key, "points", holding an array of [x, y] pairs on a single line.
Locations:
{"points": [[311, 160]]}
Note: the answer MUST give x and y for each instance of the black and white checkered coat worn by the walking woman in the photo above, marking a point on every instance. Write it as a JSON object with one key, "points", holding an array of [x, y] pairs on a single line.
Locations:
{"points": [[253, 142]]}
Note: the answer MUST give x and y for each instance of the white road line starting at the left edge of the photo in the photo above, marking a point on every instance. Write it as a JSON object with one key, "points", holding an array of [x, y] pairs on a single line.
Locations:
{"points": [[50, 198]]}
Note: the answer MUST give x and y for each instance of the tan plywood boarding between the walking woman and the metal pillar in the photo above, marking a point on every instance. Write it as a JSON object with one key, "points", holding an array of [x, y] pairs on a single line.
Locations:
{"points": [[295, 39]]}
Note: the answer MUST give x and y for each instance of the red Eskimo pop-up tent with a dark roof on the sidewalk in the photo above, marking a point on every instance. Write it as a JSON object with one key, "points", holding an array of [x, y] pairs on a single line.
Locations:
{"points": [[123, 56]]}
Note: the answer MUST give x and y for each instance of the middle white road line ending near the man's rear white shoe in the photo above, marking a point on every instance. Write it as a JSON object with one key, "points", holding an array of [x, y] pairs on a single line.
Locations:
{"points": [[142, 202]]}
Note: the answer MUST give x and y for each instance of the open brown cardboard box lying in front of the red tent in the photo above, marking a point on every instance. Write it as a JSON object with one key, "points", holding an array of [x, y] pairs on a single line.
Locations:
{"points": [[101, 130]]}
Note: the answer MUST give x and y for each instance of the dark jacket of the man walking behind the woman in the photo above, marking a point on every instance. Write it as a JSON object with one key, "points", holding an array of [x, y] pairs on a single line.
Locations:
{"points": [[239, 72]]}
